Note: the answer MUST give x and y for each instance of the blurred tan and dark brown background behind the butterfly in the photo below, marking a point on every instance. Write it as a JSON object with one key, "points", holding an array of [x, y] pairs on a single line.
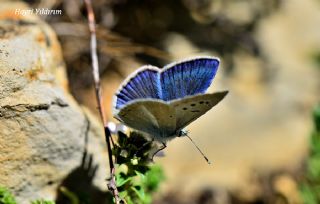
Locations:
{"points": [[258, 136]]}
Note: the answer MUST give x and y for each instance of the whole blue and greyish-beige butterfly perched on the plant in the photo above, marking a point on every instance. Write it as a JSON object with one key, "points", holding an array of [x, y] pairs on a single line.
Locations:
{"points": [[162, 102]]}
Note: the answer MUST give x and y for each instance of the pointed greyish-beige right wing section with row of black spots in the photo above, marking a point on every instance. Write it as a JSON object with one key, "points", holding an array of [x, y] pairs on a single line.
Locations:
{"points": [[190, 108]]}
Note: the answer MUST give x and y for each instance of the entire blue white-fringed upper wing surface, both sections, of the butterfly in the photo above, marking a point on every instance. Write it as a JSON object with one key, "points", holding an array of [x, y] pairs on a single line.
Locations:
{"points": [[175, 81]]}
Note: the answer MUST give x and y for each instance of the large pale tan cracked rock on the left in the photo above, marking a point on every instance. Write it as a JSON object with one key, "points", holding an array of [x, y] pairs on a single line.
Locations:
{"points": [[42, 129]]}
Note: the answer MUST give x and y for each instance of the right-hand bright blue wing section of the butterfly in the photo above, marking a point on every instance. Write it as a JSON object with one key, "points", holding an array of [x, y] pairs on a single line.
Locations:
{"points": [[187, 78]]}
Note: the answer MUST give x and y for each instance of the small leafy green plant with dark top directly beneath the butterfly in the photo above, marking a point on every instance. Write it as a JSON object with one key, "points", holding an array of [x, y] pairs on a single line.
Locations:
{"points": [[136, 179]]}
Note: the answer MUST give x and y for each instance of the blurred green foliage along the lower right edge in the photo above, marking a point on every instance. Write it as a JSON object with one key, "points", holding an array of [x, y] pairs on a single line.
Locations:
{"points": [[310, 187]]}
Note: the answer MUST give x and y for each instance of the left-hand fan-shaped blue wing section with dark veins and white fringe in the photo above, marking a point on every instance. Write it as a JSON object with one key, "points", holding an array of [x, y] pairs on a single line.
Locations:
{"points": [[145, 83]]}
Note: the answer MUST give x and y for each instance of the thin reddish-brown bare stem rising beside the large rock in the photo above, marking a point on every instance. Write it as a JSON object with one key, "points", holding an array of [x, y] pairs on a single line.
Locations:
{"points": [[95, 71]]}
